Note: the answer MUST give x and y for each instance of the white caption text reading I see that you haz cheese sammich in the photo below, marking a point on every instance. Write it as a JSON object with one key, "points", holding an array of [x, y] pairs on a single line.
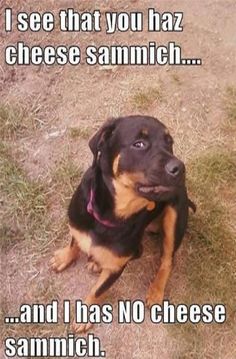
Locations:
{"points": [[70, 20]]}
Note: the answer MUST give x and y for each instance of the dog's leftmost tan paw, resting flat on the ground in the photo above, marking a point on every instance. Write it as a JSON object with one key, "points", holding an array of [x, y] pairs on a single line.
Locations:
{"points": [[62, 258]]}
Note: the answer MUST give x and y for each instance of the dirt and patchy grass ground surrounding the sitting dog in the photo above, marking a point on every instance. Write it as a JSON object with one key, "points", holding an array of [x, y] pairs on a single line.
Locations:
{"points": [[47, 115]]}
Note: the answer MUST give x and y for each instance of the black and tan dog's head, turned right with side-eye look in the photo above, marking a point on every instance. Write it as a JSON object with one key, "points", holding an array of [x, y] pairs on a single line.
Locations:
{"points": [[136, 152]]}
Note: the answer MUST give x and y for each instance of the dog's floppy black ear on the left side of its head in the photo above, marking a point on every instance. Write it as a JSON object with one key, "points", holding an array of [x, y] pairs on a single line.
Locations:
{"points": [[97, 142]]}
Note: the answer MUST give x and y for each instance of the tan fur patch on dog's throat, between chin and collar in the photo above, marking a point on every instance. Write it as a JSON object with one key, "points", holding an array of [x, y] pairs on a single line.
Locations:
{"points": [[127, 200]]}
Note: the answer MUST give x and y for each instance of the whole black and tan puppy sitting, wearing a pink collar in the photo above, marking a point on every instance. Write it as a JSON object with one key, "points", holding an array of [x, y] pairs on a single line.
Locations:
{"points": [[134, 179]]}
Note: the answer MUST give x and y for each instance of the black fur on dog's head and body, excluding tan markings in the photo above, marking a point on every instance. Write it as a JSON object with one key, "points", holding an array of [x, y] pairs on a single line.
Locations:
{"points": [[117, 137]]}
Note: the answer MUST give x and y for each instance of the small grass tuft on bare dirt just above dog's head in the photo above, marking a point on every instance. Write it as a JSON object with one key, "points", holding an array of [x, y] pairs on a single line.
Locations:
{"points": [[143, 99]]}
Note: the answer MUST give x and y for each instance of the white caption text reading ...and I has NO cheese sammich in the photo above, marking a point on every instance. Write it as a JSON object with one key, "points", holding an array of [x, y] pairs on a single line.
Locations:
{"points": [[127, 312]]}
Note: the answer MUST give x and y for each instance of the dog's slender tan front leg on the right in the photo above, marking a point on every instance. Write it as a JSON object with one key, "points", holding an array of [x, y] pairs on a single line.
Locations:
{"points": [[156, 290]]}
